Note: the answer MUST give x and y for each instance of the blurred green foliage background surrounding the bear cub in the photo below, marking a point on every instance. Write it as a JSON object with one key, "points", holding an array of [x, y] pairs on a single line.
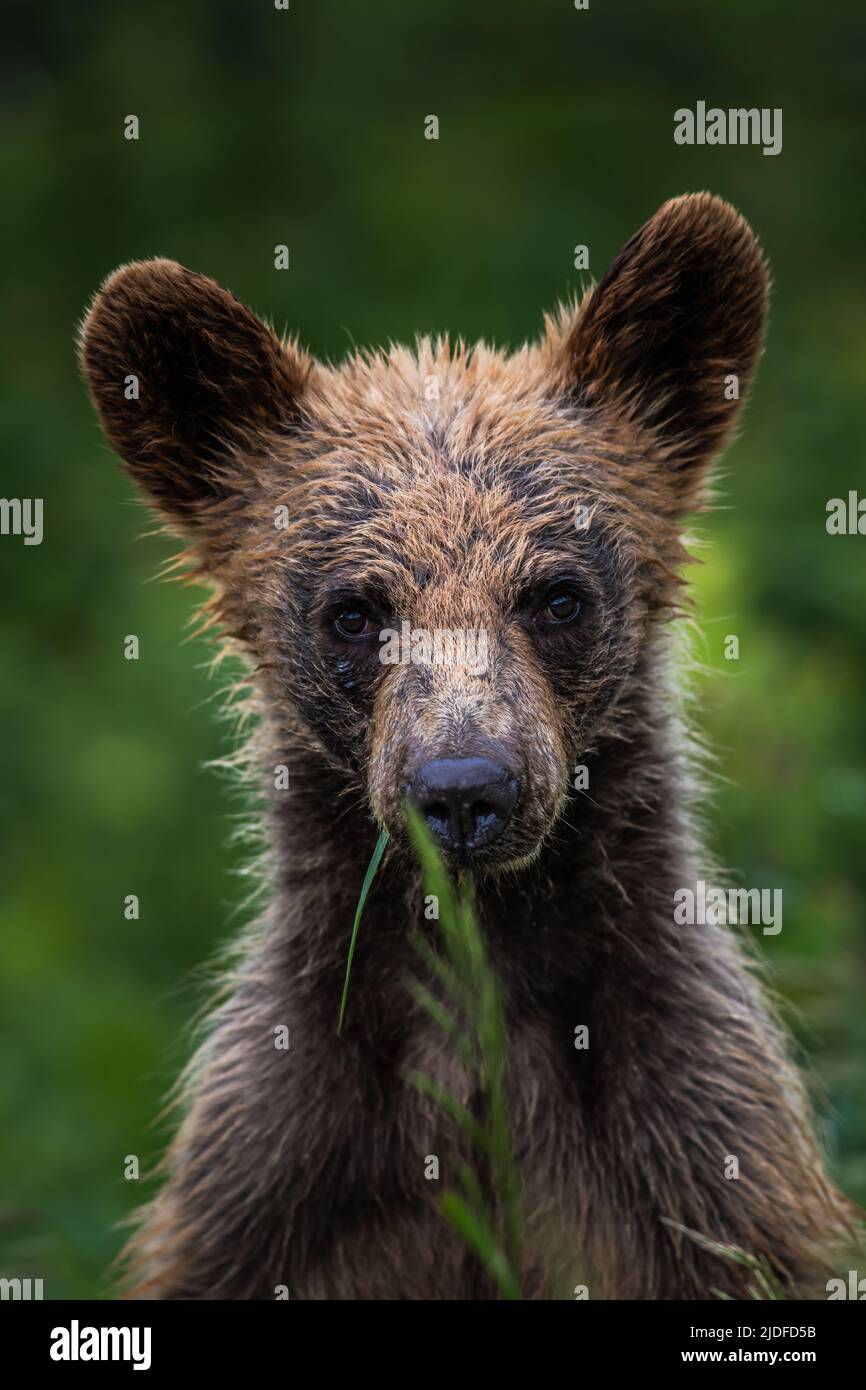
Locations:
{"points": [[305, 127]]}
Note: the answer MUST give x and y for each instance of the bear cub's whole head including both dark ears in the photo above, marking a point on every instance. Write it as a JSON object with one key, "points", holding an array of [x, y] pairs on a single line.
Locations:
{"points": [[444, 565]]}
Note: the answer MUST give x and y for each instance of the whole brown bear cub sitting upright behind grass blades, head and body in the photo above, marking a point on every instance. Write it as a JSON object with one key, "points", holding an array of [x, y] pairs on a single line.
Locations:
{"points": [[537, 497]]}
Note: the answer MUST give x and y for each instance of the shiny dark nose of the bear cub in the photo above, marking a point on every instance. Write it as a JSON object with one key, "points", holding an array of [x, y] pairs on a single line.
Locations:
{"points": [[466, 801]]}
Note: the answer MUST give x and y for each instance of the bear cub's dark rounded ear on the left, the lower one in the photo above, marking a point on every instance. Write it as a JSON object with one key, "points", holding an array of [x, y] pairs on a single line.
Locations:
{"points": [[188, 384]]}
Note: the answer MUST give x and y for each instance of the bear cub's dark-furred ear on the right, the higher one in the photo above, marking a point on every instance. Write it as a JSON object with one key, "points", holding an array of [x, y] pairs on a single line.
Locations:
{"points": [[672, 334]]}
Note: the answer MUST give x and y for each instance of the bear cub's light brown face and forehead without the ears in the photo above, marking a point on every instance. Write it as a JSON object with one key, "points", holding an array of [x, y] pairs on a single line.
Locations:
{"points": [[441, 598]]}
